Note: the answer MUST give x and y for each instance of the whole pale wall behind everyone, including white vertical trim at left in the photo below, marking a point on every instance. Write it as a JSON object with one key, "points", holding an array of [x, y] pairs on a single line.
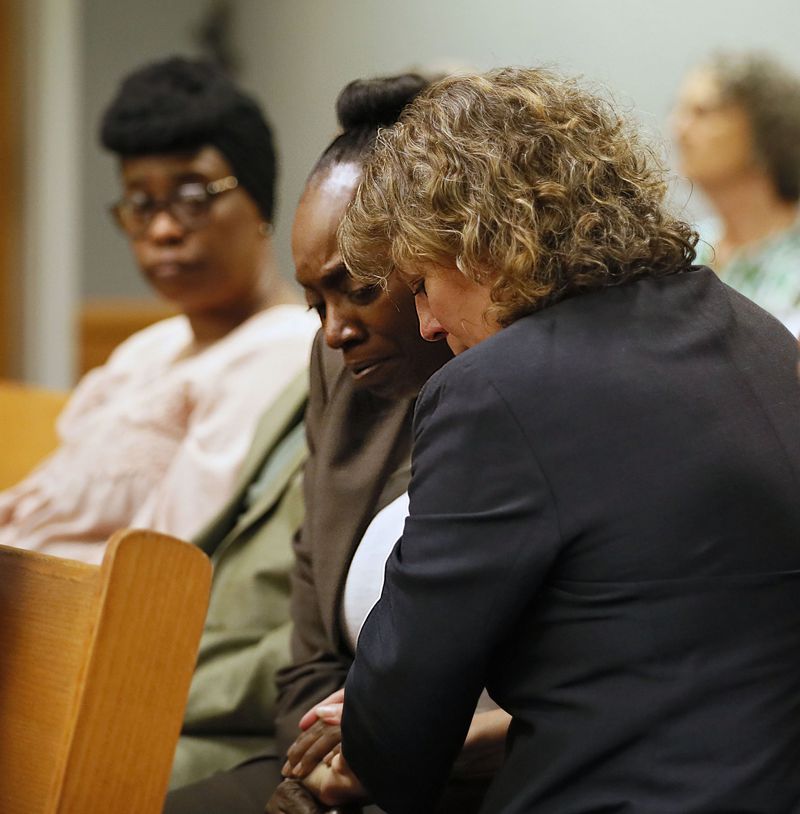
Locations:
{"points": [[296, 55]]}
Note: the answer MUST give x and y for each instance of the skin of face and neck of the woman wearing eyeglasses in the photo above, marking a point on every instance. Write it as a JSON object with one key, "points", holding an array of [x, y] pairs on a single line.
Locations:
{"points": [[218, 275]]}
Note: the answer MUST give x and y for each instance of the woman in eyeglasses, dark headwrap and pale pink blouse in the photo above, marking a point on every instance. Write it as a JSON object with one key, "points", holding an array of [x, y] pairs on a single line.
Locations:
{"points": [[155, 437]]}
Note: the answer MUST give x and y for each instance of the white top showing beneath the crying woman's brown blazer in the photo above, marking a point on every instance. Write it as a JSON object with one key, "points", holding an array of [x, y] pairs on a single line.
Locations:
{"points": [[364, 582]]}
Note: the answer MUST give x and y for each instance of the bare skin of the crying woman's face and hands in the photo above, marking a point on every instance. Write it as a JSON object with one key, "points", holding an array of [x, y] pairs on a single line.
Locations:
{"points": [[378, 334]]}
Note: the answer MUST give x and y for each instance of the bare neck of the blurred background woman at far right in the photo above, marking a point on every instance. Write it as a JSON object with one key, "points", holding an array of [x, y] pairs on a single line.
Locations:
{"points": [[750, 210]]}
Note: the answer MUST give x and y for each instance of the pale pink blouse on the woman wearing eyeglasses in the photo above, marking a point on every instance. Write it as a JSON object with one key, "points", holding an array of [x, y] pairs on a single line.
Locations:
{"points": [[155, 437]]}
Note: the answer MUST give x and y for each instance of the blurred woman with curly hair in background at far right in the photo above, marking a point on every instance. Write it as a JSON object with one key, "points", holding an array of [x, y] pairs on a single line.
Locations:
{"points": [[737, 127]]}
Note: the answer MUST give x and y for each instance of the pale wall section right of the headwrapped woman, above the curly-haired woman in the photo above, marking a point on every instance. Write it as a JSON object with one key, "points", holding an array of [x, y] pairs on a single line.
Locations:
{"points": [[301, 52]]}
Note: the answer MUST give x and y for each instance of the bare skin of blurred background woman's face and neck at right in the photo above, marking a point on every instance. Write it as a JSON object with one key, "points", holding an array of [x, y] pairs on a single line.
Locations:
{"points": [[717, 153]]}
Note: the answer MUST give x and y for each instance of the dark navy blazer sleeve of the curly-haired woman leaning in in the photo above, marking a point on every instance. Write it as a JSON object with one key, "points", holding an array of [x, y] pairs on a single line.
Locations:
{"points": [[481, 535]]}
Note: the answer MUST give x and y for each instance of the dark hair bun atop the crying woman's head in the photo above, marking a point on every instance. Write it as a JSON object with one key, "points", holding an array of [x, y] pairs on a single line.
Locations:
{"points": [[373, 103]]}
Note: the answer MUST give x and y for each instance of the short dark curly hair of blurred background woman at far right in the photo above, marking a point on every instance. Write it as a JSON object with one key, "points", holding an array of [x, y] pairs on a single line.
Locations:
{"points": [[769, 94]]}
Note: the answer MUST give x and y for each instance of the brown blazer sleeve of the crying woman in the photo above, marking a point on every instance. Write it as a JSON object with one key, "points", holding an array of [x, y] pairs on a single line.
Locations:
{"points": [[316, 669]]}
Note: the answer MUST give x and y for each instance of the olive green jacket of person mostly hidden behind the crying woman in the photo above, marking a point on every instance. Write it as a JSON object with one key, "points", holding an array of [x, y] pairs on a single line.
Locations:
{"points": [[230, 711]]}
